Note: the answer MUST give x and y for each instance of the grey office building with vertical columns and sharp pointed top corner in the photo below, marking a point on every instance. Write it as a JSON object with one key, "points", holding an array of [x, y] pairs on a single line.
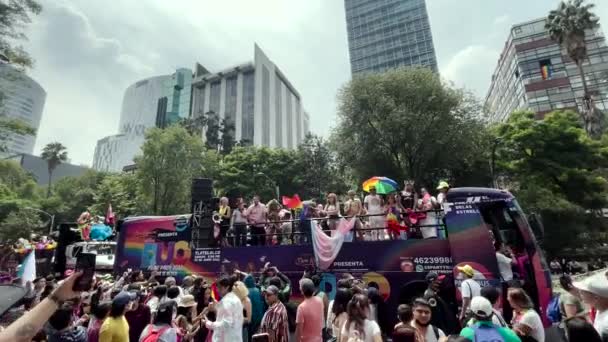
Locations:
{"points": [[257, 98]]}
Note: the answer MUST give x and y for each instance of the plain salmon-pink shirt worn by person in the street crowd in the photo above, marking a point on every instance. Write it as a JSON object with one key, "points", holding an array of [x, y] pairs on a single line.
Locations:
{"points": [[310, 316]]}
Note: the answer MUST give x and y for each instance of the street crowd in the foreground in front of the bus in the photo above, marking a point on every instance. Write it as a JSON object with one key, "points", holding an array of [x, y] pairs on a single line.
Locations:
{"points": [[243, 307]]}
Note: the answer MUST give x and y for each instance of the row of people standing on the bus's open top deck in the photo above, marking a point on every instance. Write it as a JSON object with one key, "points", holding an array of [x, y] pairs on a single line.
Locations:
{"points": [[398, 215]]}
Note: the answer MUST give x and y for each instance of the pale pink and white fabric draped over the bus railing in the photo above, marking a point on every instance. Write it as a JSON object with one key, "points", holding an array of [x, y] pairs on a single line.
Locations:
{"points": [[327, 248]]}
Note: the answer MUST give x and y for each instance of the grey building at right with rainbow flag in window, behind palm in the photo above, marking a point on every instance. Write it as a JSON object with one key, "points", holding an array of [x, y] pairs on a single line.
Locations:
{"points": [[534, 73]]}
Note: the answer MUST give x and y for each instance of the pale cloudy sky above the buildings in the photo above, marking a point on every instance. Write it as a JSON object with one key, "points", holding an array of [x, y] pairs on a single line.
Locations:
{"points": [[88, 52]]}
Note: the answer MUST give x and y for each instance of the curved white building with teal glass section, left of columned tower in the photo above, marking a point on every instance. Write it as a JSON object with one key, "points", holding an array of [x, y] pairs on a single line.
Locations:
{"points": [[155, 101]]}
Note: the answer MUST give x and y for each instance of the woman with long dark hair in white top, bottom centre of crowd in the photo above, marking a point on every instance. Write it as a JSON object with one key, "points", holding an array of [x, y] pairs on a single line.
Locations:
{"points": [[357, 325]]}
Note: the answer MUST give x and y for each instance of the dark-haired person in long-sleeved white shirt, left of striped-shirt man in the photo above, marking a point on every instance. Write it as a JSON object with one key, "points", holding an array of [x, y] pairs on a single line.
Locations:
{"points": [[228, 325]]}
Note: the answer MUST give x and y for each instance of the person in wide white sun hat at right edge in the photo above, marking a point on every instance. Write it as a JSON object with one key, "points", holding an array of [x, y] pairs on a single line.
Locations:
{"points": [[594, 292]]}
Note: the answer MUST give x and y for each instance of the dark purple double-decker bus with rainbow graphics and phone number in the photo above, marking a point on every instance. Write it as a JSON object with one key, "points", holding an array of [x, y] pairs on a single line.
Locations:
{"points": [[473, 221]]}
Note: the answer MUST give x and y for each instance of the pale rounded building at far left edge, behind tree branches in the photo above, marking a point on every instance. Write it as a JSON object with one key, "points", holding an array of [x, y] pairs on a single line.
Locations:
{"points": [[22, 98]]}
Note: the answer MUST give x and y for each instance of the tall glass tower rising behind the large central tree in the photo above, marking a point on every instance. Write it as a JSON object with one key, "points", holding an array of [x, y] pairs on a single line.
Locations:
{"points": [[385, 34]]}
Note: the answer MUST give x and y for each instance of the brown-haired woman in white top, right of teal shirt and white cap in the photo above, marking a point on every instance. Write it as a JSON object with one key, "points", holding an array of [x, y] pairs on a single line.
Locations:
{"points": [[526, 321]]}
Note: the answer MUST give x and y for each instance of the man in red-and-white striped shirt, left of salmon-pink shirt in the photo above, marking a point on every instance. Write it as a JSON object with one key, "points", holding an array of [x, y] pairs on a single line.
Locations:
{"points": [[275, 322]]}
